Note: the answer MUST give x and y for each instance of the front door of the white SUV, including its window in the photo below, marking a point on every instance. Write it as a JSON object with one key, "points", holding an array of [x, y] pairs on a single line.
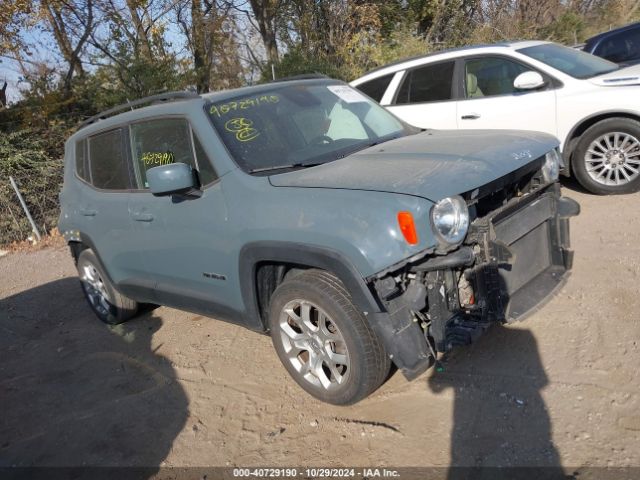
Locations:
{"points": [[491, 101]]}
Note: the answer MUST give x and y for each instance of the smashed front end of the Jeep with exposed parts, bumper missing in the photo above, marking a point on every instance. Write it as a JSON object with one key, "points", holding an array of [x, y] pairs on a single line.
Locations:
{"points": [[512, 262]]}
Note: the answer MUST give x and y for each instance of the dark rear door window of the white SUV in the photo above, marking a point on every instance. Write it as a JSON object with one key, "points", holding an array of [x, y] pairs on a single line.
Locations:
{"points": [[431, 83]]}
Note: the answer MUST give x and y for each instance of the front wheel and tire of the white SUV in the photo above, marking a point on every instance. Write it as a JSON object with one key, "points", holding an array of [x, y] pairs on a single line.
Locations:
{"points": [[606, 160]]}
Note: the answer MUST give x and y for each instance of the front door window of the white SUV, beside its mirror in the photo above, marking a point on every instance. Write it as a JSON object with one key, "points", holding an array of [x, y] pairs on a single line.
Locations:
{"points": [[489, 76]]}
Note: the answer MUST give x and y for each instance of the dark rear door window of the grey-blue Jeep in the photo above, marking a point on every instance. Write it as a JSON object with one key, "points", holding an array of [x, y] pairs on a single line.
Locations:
{"points": [[108, 163]]}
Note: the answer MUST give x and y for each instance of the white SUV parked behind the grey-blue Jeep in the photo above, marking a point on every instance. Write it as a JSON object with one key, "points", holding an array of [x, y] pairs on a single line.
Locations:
{"points": [[590, 104]]}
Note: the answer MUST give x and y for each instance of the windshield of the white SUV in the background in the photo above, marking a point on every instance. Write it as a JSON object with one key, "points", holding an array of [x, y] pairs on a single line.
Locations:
{"points": [[573, 62]]}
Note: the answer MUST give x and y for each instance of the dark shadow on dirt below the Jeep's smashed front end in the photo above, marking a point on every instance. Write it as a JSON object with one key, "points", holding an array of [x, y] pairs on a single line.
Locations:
{"points": [[500, 418]]}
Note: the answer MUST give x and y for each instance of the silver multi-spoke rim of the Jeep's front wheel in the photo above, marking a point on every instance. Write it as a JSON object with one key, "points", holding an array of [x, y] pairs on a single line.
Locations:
{"points": [[314, 345]]}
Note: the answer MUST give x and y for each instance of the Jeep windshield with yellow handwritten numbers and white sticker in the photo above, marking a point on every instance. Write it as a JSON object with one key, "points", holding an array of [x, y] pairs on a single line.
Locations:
{"points": [[299, 125]]}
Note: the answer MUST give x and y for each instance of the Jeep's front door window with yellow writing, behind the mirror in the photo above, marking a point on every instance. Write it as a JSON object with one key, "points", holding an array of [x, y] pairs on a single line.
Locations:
{"points": [[160, 142]]}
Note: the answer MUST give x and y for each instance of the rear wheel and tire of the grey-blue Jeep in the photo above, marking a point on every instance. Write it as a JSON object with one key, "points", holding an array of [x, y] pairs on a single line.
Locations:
{"points": [[107, 303]]}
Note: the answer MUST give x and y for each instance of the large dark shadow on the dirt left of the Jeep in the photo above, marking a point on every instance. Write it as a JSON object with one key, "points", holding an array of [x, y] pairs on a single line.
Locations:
{"points": [[77, 392]]}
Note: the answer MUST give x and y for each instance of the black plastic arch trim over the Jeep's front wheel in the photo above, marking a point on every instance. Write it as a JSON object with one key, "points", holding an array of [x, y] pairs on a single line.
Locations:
{"points": [[284, 257]]}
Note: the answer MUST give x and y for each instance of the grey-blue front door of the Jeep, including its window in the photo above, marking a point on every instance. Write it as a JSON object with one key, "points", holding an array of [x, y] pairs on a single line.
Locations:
{"points": [[181, 240]]}
